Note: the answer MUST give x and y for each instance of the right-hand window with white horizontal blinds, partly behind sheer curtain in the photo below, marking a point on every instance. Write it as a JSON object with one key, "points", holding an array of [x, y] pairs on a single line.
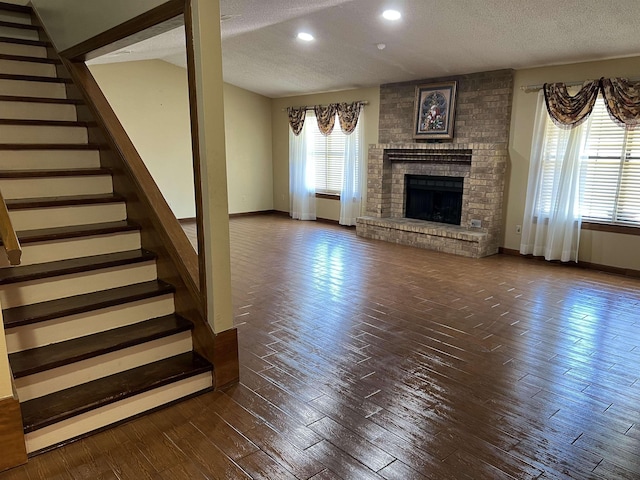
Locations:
{"points": [[610, 166]]}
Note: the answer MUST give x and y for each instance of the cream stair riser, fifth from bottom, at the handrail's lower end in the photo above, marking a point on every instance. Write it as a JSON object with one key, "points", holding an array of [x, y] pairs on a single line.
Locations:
{"points": [[51, 251]]}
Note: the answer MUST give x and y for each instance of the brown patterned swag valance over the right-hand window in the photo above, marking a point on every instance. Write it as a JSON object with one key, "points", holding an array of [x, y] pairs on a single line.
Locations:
{"points": [[621, 96]]}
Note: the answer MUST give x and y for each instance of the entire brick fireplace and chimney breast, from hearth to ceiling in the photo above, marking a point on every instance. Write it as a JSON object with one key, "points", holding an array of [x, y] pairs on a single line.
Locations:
{"points": [[478, 154]]}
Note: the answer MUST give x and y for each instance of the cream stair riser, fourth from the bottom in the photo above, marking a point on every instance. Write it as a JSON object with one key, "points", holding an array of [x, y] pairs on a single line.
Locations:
{"points": [[27, 293]]}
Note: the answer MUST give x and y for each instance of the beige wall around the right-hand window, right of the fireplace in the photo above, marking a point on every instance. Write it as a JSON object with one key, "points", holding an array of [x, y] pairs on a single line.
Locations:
{"points": [[602, 248]]}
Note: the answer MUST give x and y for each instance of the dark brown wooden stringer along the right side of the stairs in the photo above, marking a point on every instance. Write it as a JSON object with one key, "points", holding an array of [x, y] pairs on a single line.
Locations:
{"points": [[161, 232]]}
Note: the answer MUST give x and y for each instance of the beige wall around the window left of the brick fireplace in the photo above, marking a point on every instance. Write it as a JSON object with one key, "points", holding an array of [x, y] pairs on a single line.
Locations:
{"points": [[329, 209]]}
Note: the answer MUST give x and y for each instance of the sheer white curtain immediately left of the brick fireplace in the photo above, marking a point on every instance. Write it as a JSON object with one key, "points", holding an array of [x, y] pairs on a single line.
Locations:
{"points": [[351, 193]]}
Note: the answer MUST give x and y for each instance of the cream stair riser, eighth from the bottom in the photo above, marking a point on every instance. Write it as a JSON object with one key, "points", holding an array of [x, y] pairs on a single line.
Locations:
{"points": [[48, 159]]}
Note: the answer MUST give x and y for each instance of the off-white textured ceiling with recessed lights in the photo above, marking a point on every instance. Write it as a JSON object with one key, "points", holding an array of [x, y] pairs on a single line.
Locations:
{"points": [[434, 38]]}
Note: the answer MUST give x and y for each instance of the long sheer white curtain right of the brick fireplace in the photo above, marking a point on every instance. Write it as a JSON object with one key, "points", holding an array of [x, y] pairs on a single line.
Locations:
{"points": [[551, 225]]}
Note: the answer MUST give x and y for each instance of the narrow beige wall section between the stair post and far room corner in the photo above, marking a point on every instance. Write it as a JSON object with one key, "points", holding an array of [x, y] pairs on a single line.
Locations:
{"points": [[247, 125]]}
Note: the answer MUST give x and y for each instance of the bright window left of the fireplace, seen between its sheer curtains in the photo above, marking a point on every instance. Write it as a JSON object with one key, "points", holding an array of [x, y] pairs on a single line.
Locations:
{"points": [[327, 154]]}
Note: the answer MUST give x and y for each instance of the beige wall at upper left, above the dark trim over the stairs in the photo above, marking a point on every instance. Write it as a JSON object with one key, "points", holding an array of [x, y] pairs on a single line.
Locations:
{"points": [[70, 22]]}
